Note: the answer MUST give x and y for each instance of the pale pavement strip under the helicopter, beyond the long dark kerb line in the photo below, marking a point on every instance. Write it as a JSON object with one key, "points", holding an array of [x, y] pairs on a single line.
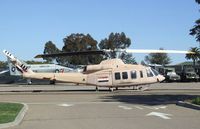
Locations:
{"points": [[72, 87]]}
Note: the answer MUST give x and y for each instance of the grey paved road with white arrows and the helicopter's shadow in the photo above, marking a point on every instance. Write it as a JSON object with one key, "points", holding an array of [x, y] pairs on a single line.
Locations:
{"points": [[82, 108]]}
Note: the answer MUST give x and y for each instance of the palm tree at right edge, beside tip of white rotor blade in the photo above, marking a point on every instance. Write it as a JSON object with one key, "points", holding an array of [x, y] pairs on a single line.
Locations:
{"points": [[194, 56]]}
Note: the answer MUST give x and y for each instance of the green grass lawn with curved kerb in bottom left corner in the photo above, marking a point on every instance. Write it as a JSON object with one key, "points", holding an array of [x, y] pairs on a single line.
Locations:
{"points": [[9, 111]]}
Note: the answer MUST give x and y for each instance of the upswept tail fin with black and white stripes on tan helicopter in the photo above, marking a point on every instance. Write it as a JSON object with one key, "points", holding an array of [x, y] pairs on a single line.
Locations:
{"points": [[19, 65]]}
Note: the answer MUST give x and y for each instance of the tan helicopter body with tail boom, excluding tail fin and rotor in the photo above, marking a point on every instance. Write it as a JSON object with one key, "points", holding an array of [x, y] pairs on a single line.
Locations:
{"points": [[109, 73]]}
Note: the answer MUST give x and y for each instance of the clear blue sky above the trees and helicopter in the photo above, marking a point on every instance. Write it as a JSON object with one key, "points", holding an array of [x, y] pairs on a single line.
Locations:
{"points": [[26, 25]]}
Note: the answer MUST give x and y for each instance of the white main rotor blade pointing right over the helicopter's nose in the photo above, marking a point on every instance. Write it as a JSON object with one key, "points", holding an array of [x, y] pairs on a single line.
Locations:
{"points": [[157, 51]]}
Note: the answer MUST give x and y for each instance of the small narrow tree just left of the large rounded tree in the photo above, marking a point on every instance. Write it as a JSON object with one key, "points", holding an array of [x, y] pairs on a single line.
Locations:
{"points": [[50, 48]]}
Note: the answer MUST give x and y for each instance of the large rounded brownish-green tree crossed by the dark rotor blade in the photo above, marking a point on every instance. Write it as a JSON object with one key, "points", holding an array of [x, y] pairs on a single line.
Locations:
{"points": [[80, 42]]}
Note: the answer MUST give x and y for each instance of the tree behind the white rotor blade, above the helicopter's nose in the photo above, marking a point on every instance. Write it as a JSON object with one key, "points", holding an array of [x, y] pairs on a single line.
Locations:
{"points": [[158, 58]]}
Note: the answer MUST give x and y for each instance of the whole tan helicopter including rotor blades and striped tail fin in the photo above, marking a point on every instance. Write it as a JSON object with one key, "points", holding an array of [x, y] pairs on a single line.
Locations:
{"points": [[111, 73]]}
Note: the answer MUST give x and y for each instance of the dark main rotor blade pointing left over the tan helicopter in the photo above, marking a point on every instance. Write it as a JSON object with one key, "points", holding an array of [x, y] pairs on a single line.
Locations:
{"points": [[70, 53]]}
